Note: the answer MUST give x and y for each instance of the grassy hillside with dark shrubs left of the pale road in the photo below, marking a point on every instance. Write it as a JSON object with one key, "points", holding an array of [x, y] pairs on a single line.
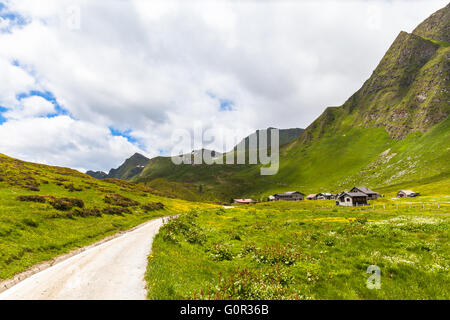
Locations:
{"points": [[47, 211]]}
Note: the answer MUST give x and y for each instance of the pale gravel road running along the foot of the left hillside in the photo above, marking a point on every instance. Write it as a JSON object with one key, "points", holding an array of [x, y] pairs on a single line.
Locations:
{"points": [[112, 270]]}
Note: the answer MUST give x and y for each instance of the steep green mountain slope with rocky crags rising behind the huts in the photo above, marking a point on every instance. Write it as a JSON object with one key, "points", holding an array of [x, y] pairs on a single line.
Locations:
{"points": [[394, 131]]}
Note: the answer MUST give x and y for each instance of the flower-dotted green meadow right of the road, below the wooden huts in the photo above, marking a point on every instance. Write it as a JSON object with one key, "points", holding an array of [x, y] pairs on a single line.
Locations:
{"points": [[304, 250]]}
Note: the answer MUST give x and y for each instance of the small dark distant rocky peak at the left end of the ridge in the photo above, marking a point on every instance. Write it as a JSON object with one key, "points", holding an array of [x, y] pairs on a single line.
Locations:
{"points": [[130, 168]]}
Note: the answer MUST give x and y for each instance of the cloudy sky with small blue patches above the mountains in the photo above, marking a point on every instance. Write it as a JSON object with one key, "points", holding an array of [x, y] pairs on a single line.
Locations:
{"points": [[85, 84]]}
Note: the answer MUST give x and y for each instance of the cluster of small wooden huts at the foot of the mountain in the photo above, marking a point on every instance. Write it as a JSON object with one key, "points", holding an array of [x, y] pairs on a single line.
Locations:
{"points": [[357, 196]]}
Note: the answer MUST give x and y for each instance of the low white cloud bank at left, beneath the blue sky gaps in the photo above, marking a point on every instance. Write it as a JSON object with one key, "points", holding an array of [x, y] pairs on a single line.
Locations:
{"points": [[65, 142]]}
